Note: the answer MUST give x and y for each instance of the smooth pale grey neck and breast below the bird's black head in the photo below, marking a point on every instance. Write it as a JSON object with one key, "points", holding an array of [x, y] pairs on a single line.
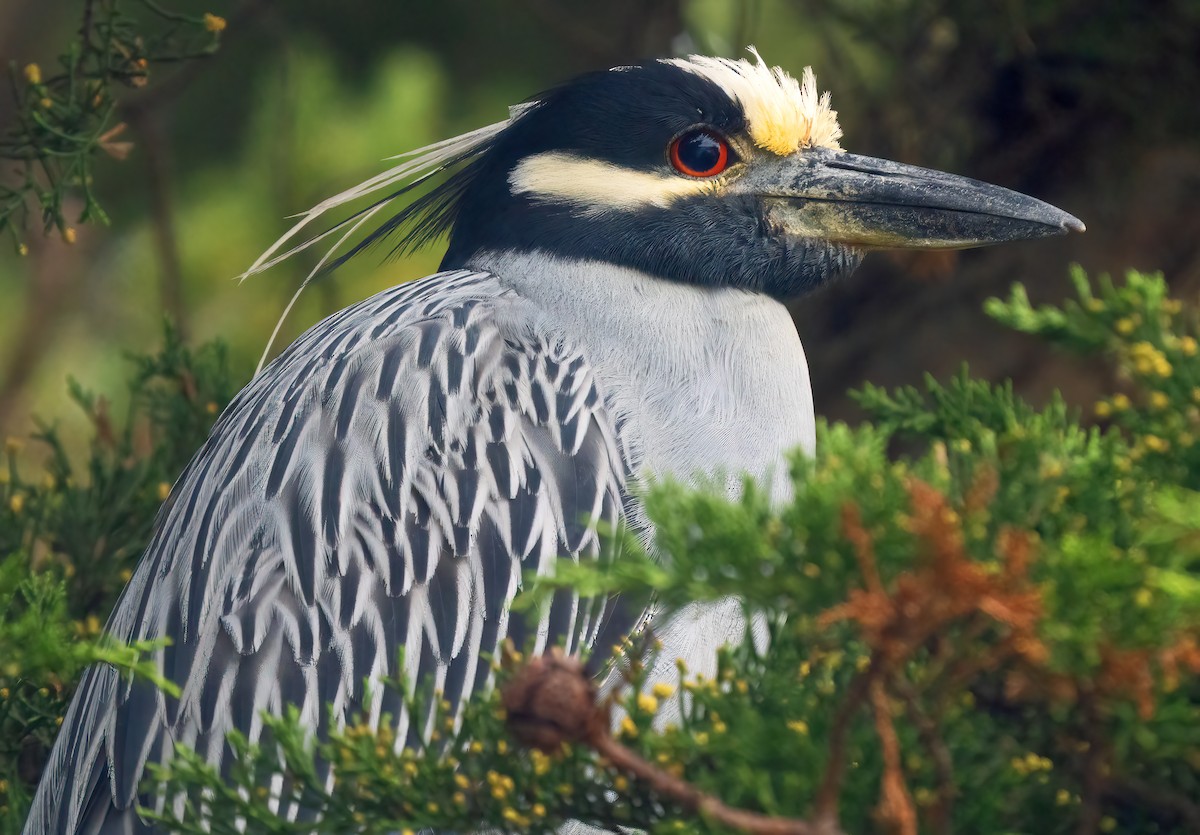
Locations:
{"points": [[711, 381]]}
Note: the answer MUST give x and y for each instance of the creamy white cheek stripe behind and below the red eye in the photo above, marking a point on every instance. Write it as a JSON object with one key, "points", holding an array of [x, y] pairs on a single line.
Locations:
{"points": [[595, 187]]}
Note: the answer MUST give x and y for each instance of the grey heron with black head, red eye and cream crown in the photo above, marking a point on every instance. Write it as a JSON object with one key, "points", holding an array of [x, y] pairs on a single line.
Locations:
{"points": [[611, 310]]}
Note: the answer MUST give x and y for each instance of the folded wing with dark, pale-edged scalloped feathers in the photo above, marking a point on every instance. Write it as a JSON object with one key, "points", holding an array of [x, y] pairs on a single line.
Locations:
{"points": [[383, 484]]}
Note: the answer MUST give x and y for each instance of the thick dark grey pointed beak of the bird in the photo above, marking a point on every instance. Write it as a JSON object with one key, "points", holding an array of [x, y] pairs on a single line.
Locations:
{"points": [[880, 205]]}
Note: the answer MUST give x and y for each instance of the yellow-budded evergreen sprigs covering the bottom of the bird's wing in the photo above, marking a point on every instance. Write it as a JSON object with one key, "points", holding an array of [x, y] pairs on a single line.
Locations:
{"points": [[471, 778]]}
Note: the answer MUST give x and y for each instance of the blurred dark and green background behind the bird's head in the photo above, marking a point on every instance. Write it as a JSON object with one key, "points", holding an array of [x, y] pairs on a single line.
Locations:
{"points": [[1090, 105]]}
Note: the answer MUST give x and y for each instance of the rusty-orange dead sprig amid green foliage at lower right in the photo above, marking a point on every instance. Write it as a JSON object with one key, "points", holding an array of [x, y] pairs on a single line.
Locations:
{"points": [[947, 590]]}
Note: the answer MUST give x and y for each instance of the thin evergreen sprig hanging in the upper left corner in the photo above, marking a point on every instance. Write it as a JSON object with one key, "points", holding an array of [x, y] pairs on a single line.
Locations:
{"points": [[65, 118]]}
